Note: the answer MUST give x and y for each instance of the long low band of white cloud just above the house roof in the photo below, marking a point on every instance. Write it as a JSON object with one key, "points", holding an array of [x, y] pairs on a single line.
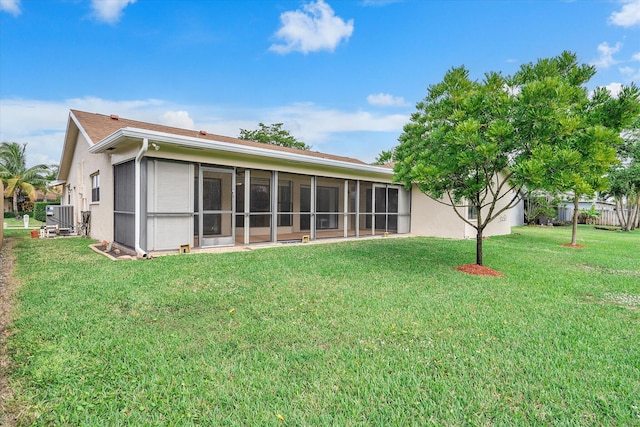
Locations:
{"points": [[359, 134]]}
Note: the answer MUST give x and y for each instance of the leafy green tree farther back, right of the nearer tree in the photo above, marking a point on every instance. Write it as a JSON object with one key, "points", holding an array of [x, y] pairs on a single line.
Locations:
{"points": [[572, 146]]}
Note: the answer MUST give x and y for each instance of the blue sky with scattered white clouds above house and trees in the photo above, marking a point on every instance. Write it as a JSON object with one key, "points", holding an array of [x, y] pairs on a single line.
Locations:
{"points": [[342, 75]]}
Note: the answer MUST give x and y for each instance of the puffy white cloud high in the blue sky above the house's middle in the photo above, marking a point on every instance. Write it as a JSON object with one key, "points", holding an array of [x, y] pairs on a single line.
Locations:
{"points": [[314, 28]]}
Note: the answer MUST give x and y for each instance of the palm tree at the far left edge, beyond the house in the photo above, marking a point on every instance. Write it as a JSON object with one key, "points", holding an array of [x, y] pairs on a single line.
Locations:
{"points": [[15, 174]]}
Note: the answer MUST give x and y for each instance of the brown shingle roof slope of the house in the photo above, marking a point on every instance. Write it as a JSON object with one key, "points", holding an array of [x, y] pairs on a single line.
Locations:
{"points": [[99, 126]]}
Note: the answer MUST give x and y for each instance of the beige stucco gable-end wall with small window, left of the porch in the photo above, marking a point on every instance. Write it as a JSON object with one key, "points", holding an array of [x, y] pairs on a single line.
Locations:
{"points": [[85, 164]]}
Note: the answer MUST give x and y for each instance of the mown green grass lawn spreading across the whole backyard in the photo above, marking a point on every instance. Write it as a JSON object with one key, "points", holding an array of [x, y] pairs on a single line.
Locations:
{"points": [[372, 332]]}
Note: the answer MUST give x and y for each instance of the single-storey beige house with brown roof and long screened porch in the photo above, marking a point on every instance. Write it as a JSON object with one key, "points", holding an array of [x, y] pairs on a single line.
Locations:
{"points": [[153, 188]]}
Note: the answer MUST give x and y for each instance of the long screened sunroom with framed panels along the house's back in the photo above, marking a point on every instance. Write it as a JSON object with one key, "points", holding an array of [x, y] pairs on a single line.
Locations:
{"points": [[206, 205]]}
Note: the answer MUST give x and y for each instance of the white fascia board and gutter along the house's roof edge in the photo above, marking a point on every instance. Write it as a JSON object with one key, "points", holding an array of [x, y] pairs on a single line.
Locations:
{"points": [[112, 141]]}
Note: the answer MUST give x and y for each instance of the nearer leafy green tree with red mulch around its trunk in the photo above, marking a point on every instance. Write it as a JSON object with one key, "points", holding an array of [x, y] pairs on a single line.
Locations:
{"points": [[459, 148]]}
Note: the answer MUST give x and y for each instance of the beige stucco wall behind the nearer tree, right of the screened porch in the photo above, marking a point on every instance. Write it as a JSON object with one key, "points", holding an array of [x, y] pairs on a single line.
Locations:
{"points": [[431, 218]]}
